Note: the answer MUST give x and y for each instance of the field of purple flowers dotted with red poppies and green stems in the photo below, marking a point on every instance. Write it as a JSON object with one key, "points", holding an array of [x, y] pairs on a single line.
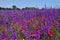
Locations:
{"points": [[30, 24]]}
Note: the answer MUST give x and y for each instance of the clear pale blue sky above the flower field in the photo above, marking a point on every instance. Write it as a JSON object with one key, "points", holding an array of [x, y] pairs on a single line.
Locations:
{"points": [[30, 3]]}
